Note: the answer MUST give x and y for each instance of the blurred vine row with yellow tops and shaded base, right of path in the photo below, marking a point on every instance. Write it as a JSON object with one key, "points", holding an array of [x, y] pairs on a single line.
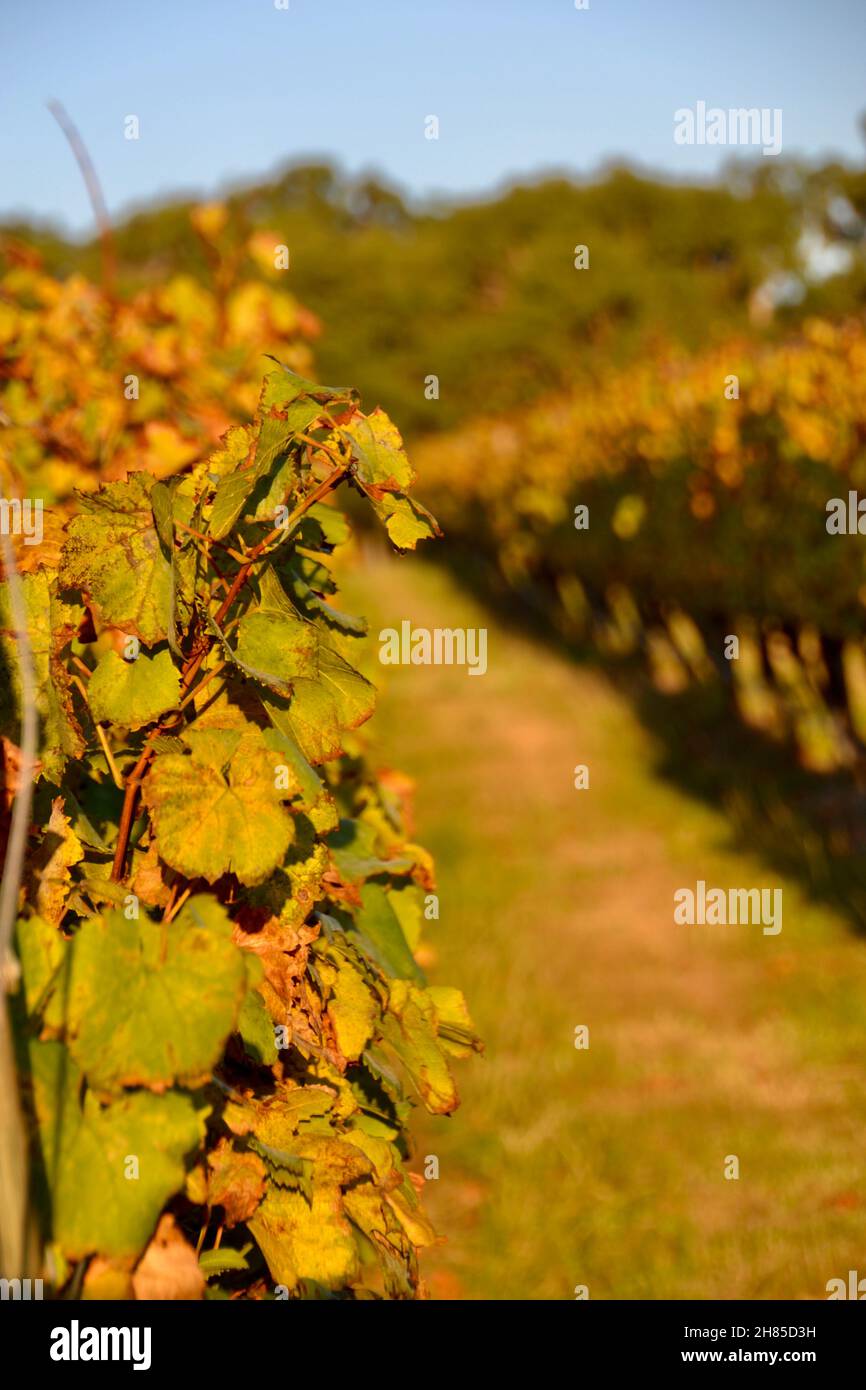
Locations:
{"points": [[707, 483]]}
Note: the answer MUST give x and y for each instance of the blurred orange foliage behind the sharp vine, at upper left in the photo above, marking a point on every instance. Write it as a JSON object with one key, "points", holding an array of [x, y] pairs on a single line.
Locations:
{"points": [[95, 387]]}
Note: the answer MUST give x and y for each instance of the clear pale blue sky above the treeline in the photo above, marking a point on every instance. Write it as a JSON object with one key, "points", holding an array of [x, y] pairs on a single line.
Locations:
{"points": [[230, 90]]}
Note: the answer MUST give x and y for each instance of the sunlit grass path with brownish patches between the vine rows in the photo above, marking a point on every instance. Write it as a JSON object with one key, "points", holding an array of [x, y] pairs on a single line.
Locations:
{"points": [[607, 1167]]}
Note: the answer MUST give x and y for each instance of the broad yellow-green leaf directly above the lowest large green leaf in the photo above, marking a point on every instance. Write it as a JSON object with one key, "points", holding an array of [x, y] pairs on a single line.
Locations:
{"points": [[181, 988]]}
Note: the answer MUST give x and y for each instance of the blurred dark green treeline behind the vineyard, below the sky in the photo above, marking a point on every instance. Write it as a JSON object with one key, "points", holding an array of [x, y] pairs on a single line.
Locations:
{"points": [[486, 297]]}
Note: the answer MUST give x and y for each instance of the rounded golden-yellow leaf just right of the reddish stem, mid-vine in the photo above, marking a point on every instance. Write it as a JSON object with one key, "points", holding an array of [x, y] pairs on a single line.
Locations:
{"points": [[220, 811]]}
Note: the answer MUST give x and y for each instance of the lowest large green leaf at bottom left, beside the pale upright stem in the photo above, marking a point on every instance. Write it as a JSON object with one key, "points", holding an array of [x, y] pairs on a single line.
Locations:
{"points": [[109, 1170]]}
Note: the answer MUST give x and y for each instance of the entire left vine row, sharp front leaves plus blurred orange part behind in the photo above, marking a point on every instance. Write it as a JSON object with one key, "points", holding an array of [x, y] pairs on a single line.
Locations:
{"points": [[222, 1022]]}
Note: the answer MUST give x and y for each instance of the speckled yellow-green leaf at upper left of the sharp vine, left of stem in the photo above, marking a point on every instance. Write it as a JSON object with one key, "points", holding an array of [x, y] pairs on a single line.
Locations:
{"points": [[115, 557]]}
